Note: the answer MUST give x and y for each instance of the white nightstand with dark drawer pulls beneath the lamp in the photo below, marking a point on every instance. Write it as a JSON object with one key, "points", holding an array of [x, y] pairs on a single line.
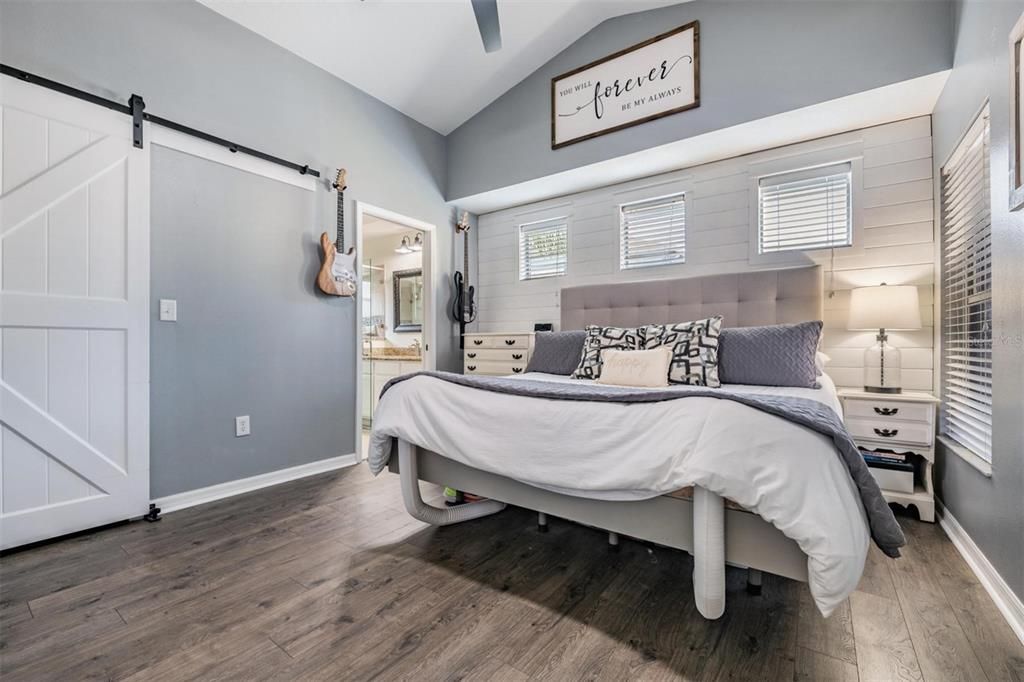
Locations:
{"points": [[902, 423]]}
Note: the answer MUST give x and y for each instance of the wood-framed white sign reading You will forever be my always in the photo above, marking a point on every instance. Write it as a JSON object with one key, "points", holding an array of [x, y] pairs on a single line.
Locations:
{"points": [[656, 78]]}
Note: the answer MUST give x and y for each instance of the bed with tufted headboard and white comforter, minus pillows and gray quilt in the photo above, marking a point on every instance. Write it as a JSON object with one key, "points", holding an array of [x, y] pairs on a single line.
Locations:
{"points": [[618, 468]]}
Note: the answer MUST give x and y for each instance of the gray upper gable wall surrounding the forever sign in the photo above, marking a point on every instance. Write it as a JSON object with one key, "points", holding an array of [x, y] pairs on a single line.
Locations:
{"points": [[757, 60]]}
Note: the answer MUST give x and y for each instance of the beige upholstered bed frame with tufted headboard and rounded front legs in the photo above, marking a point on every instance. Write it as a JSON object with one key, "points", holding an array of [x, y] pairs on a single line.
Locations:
{"points": [[703, 525]]}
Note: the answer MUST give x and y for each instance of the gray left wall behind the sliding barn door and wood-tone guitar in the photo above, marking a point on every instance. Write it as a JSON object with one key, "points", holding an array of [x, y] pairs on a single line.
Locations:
{"points": [[194, 66]]}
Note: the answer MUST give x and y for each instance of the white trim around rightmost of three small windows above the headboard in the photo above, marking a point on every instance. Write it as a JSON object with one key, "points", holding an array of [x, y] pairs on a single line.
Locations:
{"points": [[806, 163]]}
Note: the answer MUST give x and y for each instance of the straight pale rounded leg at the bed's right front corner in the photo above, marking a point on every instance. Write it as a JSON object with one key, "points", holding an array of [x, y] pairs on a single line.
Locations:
{"points": [[709, 553]]}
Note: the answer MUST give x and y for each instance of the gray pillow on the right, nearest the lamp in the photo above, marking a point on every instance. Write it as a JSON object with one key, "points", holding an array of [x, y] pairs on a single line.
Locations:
{"points": [[775, 356]]}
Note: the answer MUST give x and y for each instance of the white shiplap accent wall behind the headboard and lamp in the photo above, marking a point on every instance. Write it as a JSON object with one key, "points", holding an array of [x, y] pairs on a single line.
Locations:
{"points": [[894, 235]]}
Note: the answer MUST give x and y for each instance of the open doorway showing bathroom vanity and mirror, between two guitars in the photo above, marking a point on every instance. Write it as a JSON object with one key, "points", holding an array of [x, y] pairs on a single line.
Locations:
{"points": [[395, 305]]}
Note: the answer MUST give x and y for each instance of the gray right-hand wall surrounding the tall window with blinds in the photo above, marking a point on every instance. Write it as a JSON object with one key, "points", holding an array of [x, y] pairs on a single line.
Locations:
{"points": [[991, 509]]}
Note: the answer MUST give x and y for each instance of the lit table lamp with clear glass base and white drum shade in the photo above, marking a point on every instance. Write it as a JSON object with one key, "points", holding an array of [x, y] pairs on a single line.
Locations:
{"points": [[884, 309]]}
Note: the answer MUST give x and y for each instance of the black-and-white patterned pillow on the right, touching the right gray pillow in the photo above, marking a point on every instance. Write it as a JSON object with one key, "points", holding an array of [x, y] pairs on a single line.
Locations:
{"points": [[695, 350]]}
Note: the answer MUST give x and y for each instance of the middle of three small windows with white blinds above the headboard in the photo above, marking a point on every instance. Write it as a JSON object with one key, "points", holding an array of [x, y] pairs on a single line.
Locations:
{"points": [[653, 233]]}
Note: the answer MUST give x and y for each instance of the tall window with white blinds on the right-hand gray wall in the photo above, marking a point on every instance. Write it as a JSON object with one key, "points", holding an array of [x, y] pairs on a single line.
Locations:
{"points": [[967, 294]]}
